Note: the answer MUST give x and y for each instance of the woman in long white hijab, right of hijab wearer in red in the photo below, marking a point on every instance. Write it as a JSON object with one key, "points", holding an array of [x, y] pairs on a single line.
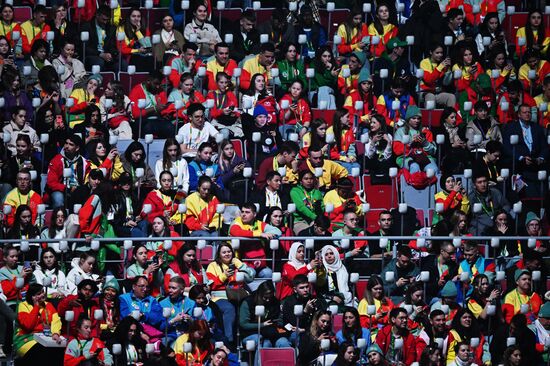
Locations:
{"points": [[333, 278]]}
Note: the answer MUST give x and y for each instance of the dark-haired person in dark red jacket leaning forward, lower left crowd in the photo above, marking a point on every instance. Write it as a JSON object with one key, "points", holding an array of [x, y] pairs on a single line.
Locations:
{"points": [[82, 304]]}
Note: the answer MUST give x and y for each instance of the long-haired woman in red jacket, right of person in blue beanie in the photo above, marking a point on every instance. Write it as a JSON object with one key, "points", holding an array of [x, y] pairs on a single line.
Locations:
{"points": [[298, 115]]}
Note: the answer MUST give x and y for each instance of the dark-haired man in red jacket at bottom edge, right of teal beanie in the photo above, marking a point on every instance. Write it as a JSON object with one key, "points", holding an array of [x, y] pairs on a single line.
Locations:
{"points": [[397, 329]]}
